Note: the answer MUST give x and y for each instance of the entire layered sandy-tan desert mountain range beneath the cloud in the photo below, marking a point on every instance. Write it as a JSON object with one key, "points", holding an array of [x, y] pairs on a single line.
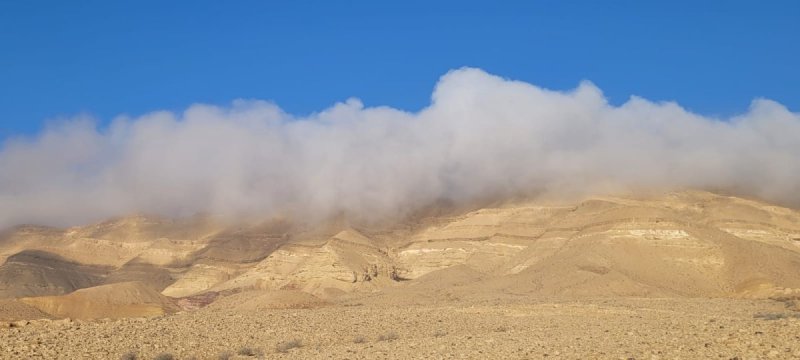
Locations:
{"points": [[685, 244]]}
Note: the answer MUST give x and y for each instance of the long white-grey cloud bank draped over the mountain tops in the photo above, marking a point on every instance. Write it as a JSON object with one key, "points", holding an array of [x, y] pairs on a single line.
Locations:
{"points": [[482, 137]]}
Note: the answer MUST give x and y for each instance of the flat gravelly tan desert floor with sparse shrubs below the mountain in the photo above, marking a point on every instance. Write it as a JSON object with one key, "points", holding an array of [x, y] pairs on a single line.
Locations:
{"points": [[377, 328]]}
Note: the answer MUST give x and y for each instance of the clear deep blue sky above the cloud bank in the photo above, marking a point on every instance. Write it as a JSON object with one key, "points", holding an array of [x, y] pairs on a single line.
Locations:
{"points": [[104, 58]]}
